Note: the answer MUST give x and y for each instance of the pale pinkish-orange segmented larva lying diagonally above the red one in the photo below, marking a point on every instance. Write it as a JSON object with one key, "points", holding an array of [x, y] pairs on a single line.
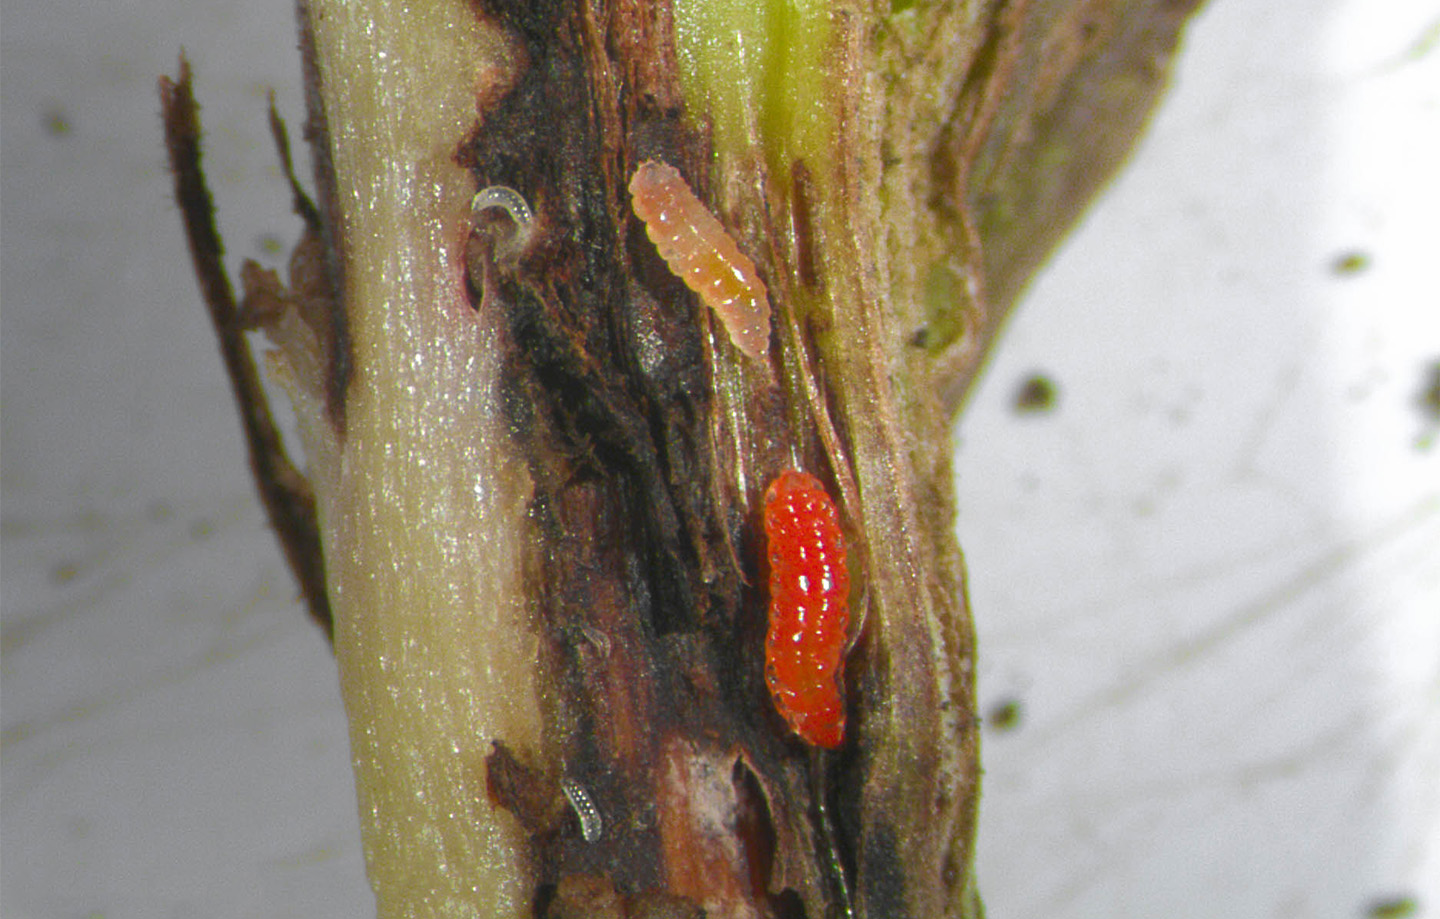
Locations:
{"points": [[703, 256]]}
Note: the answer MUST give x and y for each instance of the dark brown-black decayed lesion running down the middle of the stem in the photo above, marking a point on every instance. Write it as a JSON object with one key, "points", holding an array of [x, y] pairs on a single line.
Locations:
{"points": [[646, 548]]}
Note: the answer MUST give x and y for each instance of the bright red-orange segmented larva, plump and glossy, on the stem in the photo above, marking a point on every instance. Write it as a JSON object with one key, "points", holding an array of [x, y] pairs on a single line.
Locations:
{"points": [[810, 609]]}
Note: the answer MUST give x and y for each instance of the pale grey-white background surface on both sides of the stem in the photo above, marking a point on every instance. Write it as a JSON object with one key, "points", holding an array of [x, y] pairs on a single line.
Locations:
{"points": [[1209, 578]]}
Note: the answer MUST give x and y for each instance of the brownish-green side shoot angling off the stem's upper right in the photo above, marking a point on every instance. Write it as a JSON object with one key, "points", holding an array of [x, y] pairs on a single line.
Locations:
{"points": [[1050, 110]]}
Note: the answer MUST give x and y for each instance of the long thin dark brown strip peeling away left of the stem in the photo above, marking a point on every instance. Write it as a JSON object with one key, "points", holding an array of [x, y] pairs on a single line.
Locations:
{"points": [[286, 493]]}
